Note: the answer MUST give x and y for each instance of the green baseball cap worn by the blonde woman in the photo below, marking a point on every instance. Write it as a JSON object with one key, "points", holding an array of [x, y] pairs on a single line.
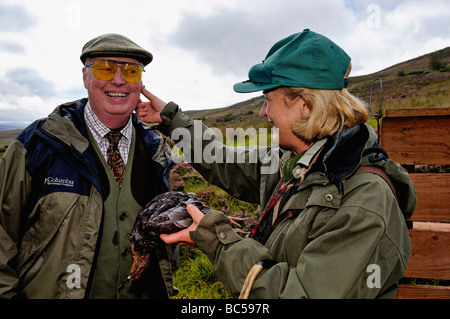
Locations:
{"points": [[306, 59]]}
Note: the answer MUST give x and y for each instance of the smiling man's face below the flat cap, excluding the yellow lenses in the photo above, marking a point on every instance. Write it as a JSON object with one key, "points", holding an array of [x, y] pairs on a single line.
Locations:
{"points": [[112, 101]]}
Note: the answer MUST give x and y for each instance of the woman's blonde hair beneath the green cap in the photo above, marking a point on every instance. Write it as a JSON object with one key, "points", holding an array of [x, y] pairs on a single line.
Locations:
{"points": [[330, 111]]}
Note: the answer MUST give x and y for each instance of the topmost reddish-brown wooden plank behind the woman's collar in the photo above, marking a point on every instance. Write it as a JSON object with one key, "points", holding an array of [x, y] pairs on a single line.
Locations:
{"points": [[417, 140]]}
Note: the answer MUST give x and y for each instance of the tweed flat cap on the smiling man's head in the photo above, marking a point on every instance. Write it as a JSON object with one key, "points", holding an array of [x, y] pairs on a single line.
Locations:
{"points": [[114, 45]]}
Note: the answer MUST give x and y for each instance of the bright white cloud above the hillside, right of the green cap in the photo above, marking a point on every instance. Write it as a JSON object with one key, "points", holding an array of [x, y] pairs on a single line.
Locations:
{"points": [[408, 30]]}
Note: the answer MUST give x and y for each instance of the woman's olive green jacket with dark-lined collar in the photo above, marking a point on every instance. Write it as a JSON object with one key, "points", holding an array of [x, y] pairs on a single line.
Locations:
{"points": [[345, 235]]}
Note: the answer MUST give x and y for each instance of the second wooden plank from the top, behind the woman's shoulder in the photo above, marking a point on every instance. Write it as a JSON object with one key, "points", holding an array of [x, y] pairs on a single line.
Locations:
{"points": [[433, 197]]}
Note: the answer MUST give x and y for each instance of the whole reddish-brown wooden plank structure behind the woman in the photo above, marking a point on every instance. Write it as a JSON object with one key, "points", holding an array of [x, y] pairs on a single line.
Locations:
{"points": [[421, 137]]}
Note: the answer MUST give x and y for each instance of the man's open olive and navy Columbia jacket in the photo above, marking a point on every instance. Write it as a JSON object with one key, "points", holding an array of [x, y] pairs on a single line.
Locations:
{"points": [[52, 194]]}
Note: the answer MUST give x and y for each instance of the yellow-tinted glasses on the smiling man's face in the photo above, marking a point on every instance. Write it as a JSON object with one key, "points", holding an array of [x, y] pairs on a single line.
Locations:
{"points": [[106, 70]]}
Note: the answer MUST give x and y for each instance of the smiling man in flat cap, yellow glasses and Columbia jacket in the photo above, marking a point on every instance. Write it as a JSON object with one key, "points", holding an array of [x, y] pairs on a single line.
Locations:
{"points": [[71, 186]]}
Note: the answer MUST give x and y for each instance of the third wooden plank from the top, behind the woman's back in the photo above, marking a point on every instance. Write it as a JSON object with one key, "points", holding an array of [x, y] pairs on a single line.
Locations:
{"points": [[430, 253]]}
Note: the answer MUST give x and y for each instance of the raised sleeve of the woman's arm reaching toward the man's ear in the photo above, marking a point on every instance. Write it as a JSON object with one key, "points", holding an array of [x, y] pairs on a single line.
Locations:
{"points": [[214, 160]]}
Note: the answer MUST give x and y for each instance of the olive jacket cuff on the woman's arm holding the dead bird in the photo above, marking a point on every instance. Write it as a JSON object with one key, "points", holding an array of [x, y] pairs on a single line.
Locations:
{"points": [[214, 230]]}
